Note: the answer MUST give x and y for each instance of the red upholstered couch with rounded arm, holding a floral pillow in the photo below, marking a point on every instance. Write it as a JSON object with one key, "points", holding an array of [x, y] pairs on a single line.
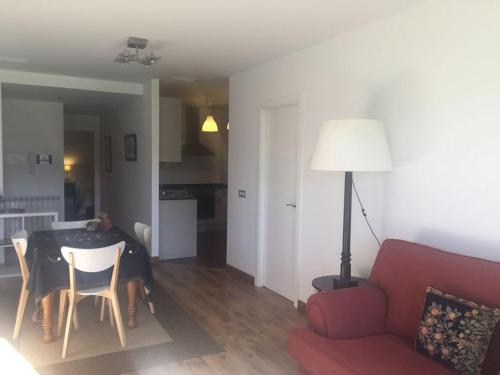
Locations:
{"points": [[371, 330]]}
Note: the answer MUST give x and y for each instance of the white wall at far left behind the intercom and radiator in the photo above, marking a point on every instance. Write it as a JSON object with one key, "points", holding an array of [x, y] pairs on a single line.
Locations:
{"points": [[33, 127]]}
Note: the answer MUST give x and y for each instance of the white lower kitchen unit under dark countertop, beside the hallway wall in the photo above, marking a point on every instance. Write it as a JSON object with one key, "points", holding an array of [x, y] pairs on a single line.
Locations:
{"points": [[178, 228]]}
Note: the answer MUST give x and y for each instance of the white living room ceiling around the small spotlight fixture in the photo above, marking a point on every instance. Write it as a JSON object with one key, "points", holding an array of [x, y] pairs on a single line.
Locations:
{"points": [[203, 39]]}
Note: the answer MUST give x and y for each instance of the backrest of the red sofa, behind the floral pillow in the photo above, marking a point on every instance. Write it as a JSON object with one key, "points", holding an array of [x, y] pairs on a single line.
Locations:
{"points": [[403, 270]]}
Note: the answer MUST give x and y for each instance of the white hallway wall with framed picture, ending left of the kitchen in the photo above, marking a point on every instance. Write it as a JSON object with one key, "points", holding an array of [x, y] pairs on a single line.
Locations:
{"points": [[130, 190]]}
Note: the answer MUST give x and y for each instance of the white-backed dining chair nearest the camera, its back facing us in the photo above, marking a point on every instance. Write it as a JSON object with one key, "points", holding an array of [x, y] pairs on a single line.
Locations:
{"points": [[93, 261]]}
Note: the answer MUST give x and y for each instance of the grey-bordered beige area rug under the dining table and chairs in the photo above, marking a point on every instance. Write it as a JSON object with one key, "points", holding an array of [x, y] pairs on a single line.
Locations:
{"points": [[170, 335]]}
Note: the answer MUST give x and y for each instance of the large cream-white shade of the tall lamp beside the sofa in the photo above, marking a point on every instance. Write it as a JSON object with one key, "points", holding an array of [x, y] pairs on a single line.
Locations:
{"points": [[352, 145]]}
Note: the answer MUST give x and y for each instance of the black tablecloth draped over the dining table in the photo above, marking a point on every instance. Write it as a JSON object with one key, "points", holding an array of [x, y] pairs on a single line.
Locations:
{"points": [[49, 270]]}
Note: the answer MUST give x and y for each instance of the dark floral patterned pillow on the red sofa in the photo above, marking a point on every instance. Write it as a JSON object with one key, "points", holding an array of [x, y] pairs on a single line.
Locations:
{"points": [[456, 332]]}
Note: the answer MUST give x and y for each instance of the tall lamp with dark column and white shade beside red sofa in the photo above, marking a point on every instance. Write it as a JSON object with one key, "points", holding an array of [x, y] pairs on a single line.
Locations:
{"points": [[350, 145]]}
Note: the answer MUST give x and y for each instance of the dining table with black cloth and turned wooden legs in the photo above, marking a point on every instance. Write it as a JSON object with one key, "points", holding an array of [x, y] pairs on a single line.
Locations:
{"points": [[49, 271]]}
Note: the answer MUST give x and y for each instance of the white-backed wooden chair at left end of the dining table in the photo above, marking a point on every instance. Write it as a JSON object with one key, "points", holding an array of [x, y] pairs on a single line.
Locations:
{"points": [[20, 242]]}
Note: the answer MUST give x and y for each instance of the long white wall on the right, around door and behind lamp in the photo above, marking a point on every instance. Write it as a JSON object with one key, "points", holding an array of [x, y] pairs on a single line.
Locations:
{"points": [[431, 75]]}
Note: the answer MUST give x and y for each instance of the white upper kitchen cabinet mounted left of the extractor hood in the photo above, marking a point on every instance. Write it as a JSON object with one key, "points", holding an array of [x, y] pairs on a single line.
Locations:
{"points": [[170, 129]]}
